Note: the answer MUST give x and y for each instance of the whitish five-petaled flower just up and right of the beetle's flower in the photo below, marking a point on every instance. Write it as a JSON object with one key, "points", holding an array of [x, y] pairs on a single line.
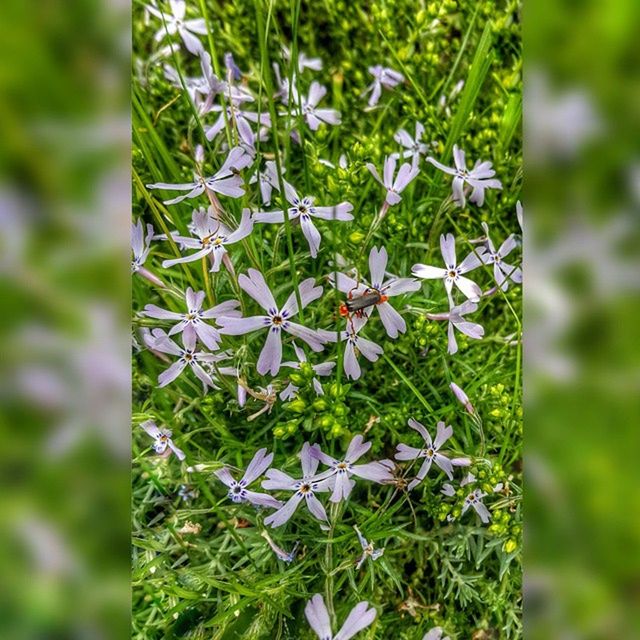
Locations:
{"points": [[452, 272]]}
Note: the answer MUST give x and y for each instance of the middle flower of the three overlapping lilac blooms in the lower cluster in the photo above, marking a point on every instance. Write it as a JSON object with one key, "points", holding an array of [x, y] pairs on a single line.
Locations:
{"points": [[304, 489]]}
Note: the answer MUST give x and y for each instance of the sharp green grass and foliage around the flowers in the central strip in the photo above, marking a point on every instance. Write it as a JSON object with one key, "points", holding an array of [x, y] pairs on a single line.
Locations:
{"points": [[201, 568]]}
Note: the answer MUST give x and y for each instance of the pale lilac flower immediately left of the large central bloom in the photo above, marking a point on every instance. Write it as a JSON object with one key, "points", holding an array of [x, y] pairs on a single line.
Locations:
{"points": [[192, 323]]}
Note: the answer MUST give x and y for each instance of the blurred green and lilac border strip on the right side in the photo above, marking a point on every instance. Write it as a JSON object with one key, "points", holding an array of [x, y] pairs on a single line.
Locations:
{"points": [[582, 366]]}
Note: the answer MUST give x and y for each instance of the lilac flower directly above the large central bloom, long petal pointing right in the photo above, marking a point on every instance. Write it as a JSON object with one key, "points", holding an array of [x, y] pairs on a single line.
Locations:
{"points": [[302, 210]]}
